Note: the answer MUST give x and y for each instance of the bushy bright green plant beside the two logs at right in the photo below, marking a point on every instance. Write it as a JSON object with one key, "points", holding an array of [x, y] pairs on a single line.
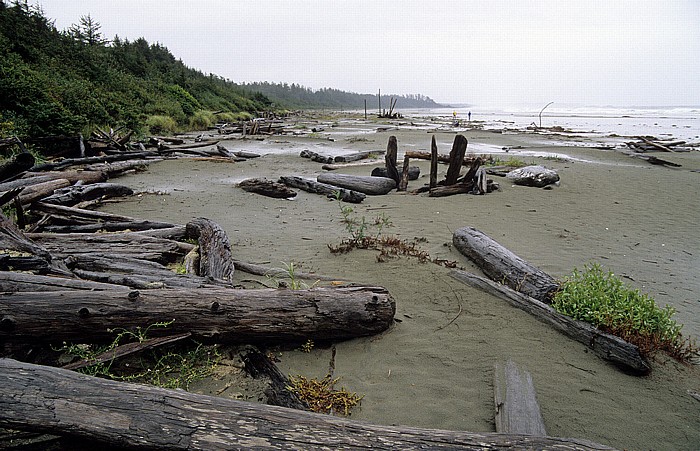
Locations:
{"points": [[603, 300]]}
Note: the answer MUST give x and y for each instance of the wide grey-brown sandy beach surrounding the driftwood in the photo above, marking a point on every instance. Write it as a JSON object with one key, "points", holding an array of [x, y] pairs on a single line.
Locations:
{"points": [[430, 369]]}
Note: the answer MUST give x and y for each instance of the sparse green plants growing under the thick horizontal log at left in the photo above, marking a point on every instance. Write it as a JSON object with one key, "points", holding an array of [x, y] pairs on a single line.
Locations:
{"points": [[163, 369]]}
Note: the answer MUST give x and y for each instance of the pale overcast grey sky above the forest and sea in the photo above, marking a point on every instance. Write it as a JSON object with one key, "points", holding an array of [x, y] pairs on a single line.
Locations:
{"points": [[497, 53]]}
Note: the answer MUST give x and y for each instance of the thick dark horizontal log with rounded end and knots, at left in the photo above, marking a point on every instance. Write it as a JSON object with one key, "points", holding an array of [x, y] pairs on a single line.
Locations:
{"points": [[213, 314]]}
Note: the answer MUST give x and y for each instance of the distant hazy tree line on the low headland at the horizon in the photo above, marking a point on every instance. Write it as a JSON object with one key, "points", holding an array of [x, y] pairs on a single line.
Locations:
{"points": [[297, 96]]}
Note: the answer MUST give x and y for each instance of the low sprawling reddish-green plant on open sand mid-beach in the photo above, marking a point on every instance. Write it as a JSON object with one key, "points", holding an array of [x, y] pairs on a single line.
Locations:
{"points": [[369, 235]]}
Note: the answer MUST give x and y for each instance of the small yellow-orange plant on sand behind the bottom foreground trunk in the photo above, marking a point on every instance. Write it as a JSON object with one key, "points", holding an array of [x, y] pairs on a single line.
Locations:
{"points": [[320, 395]]}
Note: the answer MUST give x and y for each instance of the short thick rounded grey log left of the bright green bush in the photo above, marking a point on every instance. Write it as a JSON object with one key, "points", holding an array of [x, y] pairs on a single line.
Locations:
{"points": [[503, 266]]}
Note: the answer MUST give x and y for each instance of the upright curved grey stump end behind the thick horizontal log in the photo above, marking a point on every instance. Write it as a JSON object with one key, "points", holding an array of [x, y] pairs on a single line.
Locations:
{"points": [[215, 259]]}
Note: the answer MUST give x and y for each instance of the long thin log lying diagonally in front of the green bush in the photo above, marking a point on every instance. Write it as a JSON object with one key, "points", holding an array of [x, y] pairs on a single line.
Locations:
{"points": [[606, 346]]}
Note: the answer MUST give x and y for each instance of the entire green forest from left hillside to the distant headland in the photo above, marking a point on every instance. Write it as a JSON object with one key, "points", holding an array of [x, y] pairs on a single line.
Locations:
{"points": [[65, 82]]}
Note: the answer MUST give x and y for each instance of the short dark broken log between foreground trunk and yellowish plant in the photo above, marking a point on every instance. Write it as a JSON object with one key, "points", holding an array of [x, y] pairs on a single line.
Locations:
{"points": [[258, 365]]}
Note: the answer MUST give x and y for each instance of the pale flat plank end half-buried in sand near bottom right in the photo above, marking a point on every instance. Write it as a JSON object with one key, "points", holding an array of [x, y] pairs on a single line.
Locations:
{"points": [[517, 409]]}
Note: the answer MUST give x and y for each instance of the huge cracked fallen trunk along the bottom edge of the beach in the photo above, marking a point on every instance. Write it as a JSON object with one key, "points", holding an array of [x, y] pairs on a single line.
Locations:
{"points": [[58, 401]]}
